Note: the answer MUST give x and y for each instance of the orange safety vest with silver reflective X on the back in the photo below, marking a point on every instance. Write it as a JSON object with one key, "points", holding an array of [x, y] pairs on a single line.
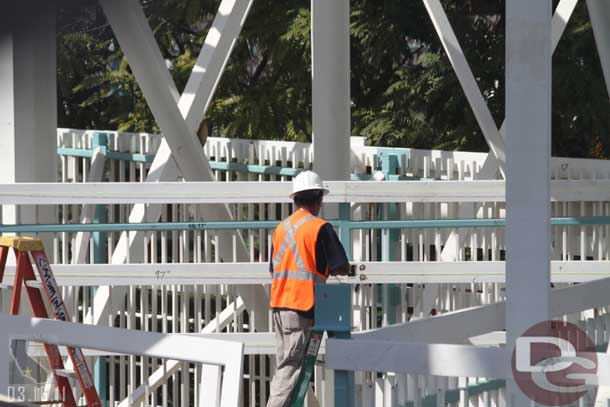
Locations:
{"points": [[294, 262]]}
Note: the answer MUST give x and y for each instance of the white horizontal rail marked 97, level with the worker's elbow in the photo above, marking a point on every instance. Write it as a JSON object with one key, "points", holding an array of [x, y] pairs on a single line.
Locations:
{"points": [[258, 273]]}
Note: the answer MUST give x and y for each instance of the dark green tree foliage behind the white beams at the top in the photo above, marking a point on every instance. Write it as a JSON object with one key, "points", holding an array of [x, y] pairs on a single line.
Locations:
{"points": [[404, 91]]}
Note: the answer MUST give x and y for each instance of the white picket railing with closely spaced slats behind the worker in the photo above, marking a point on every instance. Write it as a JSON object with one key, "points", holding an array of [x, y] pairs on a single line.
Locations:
{"points": [[190, 306]]}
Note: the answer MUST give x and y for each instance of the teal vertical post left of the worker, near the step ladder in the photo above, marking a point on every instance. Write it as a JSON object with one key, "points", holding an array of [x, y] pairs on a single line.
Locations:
{"points": [[100, 369]]}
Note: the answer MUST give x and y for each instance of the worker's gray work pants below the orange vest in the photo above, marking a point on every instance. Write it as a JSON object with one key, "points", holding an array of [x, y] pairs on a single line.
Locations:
{"points": [[292, 333]]}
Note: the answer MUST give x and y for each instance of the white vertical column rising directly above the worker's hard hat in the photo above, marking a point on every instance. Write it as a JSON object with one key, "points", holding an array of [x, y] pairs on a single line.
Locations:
{"points": [[331, 88]]}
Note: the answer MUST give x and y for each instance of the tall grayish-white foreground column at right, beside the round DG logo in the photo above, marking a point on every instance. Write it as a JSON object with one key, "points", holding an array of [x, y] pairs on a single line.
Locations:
{"points": [[528, 137]]}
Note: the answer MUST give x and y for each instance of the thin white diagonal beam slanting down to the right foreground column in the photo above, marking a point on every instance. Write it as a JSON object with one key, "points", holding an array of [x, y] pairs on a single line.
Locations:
{"points": [[467, 80]]}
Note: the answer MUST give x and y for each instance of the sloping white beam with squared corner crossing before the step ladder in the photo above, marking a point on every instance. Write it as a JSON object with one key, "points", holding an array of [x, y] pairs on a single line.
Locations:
{"points": [[227, 354]]}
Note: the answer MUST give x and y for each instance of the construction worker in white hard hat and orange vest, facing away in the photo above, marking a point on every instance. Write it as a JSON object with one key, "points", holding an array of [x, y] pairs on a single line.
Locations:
{"points": [[304, 252]]}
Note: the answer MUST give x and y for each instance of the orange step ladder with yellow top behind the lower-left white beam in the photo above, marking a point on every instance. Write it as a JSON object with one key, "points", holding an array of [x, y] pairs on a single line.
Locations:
{"points": [[24, 247]]}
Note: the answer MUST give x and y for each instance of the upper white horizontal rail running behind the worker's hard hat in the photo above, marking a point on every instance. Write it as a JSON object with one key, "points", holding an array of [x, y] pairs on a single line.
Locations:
{"points": [[277, 192]]}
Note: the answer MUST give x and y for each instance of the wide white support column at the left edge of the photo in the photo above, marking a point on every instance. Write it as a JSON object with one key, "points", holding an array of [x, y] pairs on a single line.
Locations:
{"points": [[28, 101]]}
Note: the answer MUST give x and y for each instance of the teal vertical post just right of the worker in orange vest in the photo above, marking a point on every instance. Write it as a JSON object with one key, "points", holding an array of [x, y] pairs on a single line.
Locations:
{"points": [[344, 380]]}
